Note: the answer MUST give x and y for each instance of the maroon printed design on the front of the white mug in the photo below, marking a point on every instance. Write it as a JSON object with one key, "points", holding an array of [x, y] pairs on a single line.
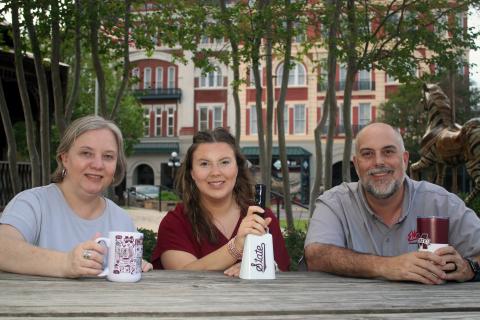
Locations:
{"points": [[128, 255]]}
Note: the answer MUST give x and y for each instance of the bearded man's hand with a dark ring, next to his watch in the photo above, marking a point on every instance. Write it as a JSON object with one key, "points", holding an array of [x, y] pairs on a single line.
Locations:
{"points": [[456, 267]]}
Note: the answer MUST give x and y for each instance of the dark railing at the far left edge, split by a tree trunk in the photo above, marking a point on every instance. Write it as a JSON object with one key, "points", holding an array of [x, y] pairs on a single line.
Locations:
{"points": [[6, 190]]}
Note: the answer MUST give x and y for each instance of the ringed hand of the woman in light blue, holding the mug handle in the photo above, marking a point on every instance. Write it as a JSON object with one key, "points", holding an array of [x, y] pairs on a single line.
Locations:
{"points": [[86, 259]]}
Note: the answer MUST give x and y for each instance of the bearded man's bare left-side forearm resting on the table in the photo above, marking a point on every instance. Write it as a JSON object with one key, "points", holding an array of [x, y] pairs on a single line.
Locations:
{"points": [[342, 261]]}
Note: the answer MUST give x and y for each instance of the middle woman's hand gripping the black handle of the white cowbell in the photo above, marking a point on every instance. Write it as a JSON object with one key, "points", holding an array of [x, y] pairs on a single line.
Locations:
{"points": [[251, 224]]}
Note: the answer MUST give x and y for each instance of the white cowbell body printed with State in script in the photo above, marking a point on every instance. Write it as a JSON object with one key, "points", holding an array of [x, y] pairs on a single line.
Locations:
{"points": [[258, 261]]}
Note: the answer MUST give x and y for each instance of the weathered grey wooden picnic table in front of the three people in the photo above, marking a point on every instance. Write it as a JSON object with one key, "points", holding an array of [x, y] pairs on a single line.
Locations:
{"points": [[211, 295]]}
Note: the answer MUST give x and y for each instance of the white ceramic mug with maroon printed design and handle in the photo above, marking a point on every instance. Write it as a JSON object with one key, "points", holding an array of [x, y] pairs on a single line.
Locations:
{"points": [[124, 261]]}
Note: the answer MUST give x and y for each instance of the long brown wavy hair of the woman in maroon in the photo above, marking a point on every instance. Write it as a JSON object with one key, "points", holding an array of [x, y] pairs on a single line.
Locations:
{"points": [[197, 214]]}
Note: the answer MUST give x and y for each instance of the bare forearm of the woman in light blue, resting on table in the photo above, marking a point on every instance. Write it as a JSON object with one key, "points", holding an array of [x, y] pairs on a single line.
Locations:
{"points": [[18, 256]]}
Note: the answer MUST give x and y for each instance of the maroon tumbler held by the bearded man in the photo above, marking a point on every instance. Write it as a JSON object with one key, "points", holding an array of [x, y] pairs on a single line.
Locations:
{"points": [[432, 230]]}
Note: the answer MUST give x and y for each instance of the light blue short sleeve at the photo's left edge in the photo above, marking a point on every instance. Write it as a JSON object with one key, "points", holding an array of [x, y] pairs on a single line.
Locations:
{"points": [[24, 214]]}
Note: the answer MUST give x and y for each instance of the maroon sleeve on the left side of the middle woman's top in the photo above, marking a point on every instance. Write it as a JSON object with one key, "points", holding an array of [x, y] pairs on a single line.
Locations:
{"points": [[174, 233]]}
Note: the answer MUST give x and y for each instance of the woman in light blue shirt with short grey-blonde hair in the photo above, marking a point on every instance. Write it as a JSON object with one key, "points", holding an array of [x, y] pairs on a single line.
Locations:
{"points": [[49, 230]]}
